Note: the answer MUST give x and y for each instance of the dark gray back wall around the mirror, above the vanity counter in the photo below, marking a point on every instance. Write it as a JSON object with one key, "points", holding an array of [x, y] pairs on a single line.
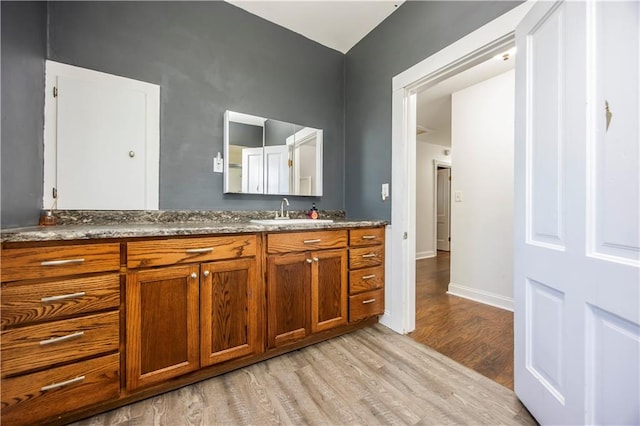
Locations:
{"points": [[209, 57]]}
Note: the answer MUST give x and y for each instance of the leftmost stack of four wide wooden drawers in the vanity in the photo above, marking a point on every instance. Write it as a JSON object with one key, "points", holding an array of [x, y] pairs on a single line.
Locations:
{"points": [[60, 333]]}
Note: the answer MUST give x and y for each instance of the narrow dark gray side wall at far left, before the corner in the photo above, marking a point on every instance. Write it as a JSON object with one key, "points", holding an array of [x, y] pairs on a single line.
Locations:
{"points": [[24, 43]]}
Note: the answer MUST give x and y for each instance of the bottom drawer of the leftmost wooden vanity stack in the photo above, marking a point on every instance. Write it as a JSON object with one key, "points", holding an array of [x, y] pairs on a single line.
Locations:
{"points": [[44, 395]]}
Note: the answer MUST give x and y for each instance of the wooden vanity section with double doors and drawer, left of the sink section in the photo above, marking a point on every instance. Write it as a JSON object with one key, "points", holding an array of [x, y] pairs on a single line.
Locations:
{"points": [[193, 305]]}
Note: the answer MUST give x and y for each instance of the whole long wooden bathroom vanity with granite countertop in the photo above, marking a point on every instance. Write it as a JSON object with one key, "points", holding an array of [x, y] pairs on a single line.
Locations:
{"points": [[97, 316]]}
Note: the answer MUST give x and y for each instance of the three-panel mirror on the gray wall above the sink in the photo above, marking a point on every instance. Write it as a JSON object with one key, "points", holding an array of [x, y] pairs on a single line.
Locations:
{"points": [[266, 156]]}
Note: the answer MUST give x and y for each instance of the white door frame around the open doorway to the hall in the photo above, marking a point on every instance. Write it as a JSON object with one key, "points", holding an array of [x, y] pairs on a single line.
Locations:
{"points": [[475, 47]]}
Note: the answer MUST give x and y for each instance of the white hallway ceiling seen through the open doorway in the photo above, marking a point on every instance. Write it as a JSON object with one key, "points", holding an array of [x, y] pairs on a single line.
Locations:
{"points": [[434, 104]]}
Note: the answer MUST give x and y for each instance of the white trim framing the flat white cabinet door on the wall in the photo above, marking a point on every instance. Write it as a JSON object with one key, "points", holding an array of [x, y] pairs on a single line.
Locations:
{"points": [[53, 70]]}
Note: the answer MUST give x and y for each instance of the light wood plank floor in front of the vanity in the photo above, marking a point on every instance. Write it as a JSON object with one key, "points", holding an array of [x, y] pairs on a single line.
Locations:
{"points": [[369, 377]]}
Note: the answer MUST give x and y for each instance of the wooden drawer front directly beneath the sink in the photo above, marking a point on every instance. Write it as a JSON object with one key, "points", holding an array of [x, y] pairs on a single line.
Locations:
{"points": [[303, 241]]}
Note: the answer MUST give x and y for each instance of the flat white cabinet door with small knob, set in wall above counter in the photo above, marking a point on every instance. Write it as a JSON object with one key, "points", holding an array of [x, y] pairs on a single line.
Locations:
{"points": [[98, 126]]}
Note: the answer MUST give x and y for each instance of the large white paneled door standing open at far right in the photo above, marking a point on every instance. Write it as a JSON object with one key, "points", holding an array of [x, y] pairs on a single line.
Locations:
{"points": [[577, 243]]}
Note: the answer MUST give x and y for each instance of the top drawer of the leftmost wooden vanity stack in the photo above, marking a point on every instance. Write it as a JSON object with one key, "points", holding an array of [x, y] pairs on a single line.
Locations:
{"points": [[45, 262]]}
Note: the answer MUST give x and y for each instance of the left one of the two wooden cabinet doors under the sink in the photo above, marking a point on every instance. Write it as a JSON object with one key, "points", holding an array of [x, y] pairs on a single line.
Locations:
{"points": [[288, 298]]}
